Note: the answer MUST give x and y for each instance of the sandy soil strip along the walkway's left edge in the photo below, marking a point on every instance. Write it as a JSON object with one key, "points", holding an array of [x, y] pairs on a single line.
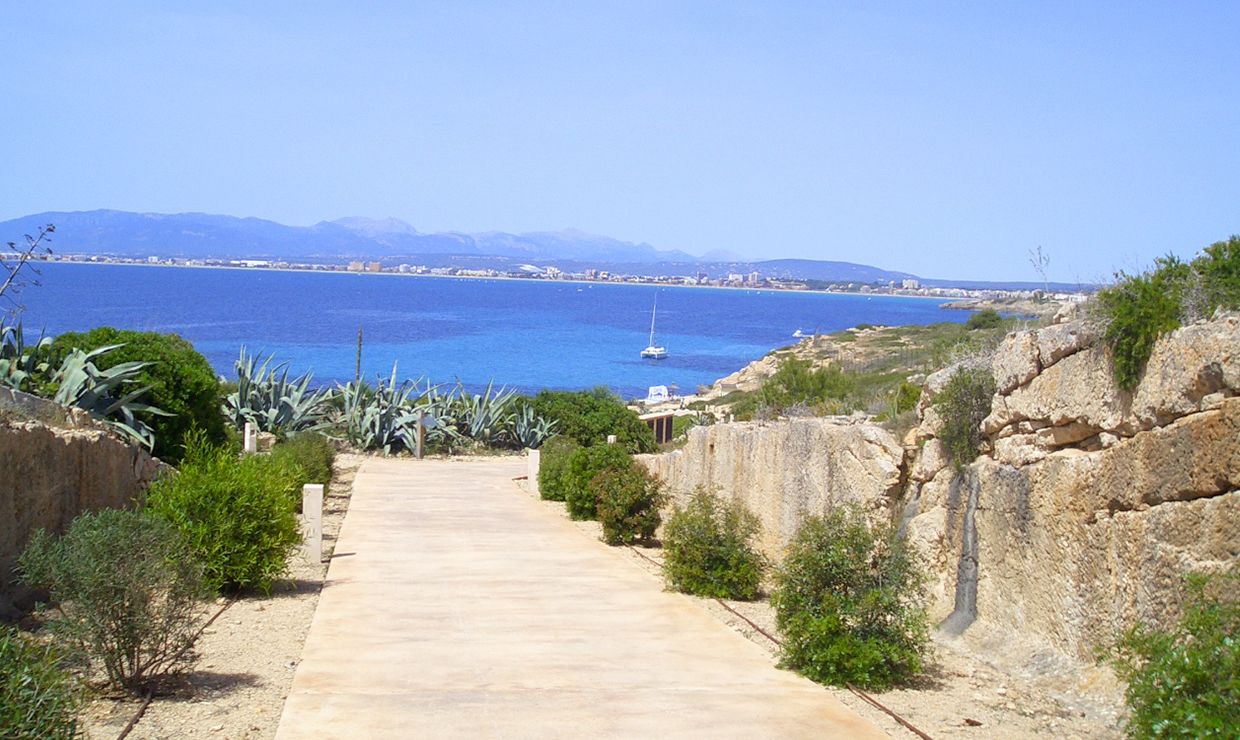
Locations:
{"points": [[247, 656]]}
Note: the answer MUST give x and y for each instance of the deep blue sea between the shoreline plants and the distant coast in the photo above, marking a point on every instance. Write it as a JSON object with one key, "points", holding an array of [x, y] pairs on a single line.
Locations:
{"points": [[525, 335]]}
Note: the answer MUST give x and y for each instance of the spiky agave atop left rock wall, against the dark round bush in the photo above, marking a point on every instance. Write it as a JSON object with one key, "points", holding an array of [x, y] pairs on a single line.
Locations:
{"points": [[105, 394]]}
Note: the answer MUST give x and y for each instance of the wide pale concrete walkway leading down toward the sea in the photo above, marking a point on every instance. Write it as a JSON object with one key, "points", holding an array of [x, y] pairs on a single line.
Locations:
{"points": [[457, 607]]}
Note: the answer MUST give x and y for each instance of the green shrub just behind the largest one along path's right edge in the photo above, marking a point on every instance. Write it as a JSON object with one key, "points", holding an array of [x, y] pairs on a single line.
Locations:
{"points": [[710, 552]]}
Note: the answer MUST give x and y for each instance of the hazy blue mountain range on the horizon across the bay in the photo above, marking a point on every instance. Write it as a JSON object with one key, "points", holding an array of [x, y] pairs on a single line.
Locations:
{"points": [[204, 236]]}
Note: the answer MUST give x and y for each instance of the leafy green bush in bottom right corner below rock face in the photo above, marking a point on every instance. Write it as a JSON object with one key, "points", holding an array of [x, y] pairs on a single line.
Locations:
{"points": [[1185, 682]]}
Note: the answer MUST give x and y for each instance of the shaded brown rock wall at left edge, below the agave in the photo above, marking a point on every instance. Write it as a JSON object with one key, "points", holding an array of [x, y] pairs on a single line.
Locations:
{"points": [[51, 475]]}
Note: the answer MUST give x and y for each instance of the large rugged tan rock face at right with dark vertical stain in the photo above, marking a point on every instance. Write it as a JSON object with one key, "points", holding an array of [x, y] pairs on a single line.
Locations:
{"points": [[1092, 504]]}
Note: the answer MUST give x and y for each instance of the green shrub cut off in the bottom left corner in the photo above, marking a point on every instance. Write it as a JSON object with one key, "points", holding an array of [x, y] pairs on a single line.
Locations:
{"points": [[38, 700]]}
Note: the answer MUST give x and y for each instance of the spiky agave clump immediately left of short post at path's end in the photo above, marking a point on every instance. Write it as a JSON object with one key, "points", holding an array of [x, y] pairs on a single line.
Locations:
{"points": [[380, 417]]}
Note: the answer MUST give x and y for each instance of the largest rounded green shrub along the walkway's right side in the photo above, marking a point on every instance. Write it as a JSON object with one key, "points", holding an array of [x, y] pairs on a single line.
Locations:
{"points": [[849, 601]]}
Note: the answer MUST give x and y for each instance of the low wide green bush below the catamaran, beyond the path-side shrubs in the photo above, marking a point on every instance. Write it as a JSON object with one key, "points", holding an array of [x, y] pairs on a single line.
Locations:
{"points": [[588, 417]]}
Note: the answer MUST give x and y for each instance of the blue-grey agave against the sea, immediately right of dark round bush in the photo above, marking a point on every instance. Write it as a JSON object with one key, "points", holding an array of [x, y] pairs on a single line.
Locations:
{"points": [[268, 400]]}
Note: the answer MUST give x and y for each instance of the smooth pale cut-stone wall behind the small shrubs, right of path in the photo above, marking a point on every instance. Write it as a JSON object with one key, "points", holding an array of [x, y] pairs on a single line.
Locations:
{"points": [[784, 472]]}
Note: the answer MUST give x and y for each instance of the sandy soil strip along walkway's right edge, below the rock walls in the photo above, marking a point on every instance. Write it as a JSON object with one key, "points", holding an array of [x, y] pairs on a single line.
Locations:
{"points": [[978, 687]]}
